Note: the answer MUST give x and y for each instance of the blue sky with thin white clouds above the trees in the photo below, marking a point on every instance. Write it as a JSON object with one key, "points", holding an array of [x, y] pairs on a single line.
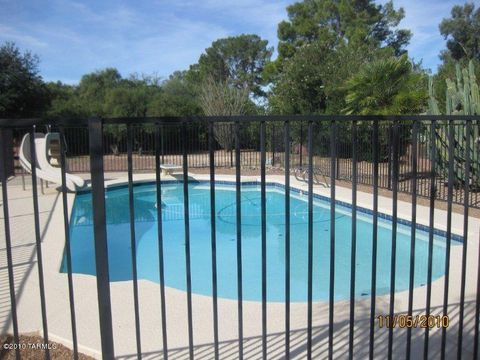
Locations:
{"points": [[75, 37]]}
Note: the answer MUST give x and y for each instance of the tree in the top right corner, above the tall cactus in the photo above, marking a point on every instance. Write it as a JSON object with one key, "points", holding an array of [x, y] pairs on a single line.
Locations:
{"points": [[462, 32]]}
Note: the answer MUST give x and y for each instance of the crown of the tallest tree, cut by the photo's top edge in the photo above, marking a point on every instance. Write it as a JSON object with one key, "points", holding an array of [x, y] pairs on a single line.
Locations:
{"points": [[335, 21]]}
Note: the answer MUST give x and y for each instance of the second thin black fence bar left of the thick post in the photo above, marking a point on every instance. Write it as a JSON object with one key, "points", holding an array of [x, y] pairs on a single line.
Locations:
{"points": [[38, 240]]}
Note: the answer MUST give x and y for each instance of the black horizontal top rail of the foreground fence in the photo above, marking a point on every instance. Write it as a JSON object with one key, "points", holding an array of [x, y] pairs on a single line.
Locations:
{"points": [[18, 123]]}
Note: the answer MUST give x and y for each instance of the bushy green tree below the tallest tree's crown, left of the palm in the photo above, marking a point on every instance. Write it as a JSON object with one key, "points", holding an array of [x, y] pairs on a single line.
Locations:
{"points": [[313, 80]]}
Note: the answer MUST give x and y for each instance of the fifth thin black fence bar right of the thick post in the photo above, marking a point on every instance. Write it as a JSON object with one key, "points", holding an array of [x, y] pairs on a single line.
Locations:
{"points": [[238, 201]]}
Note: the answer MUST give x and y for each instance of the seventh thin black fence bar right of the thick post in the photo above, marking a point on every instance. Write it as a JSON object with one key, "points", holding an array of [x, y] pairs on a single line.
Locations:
{"points": [[287, 238]]}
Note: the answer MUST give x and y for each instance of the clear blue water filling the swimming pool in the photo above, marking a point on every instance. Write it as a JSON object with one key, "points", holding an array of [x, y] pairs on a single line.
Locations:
{"points": [[118, 233]]}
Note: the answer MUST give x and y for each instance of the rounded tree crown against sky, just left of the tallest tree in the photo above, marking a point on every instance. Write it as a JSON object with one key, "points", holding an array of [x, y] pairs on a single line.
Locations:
{"points": [[238, 60]]}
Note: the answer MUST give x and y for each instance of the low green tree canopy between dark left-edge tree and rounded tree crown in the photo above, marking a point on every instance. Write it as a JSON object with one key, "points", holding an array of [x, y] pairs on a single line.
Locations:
{"points": [[106, 93]]}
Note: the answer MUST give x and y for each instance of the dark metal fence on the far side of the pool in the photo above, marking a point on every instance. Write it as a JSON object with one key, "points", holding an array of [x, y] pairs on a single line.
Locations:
{"points": [[115, 151]]}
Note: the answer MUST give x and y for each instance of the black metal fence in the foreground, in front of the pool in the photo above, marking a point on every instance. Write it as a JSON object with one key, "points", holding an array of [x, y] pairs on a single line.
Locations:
{"points": [[415, 154]]}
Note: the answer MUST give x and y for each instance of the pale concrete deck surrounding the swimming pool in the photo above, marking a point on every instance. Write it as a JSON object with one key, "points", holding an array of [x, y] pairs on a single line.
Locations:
{"points": [[58, 311]]}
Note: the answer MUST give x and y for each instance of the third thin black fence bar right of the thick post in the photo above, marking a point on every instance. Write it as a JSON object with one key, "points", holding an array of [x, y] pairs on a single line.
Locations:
{"points": [[187, 239]]}
